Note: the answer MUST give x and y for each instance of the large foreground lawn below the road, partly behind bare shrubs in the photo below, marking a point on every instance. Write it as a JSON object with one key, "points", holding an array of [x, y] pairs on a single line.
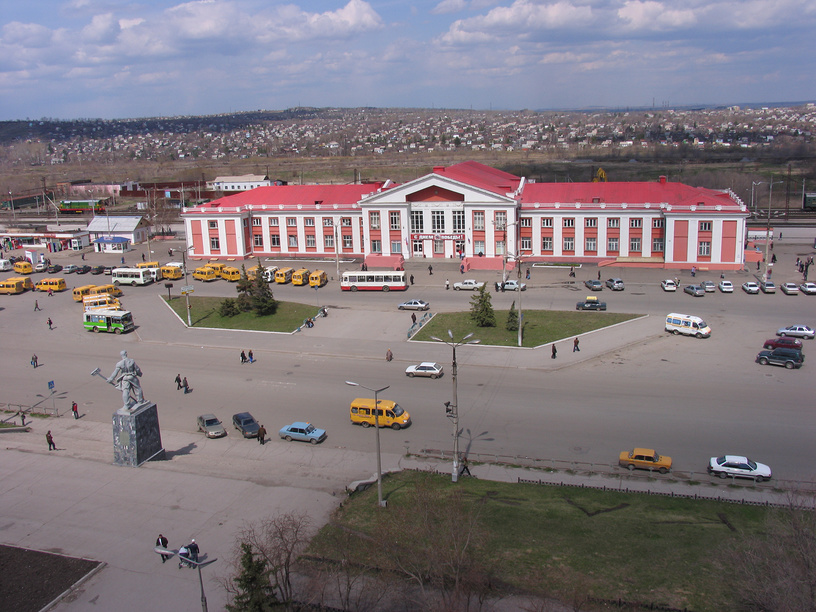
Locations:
{"points": [[561, 540]]}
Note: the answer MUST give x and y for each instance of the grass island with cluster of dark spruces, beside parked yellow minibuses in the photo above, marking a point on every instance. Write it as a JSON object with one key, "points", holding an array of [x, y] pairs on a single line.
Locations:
{"points": [[204, 313]]}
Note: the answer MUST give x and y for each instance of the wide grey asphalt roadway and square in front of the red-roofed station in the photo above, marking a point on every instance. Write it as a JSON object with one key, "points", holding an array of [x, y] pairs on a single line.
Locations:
{"points": [[632, 385]]}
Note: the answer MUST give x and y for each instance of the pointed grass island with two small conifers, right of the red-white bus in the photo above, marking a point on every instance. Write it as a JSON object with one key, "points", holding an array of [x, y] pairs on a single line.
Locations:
{"points": [[540, 326]]}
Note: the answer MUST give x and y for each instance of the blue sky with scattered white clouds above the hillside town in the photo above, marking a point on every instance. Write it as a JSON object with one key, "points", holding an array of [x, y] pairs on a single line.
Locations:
{"points": [[117, 59]]}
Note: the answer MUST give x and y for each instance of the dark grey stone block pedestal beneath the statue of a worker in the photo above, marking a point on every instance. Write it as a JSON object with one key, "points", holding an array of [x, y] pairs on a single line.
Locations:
{"points": [[136, 435]]}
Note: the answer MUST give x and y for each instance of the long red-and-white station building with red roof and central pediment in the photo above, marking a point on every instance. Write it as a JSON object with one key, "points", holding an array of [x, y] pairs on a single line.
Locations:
{"points": [[484, 216]]}
